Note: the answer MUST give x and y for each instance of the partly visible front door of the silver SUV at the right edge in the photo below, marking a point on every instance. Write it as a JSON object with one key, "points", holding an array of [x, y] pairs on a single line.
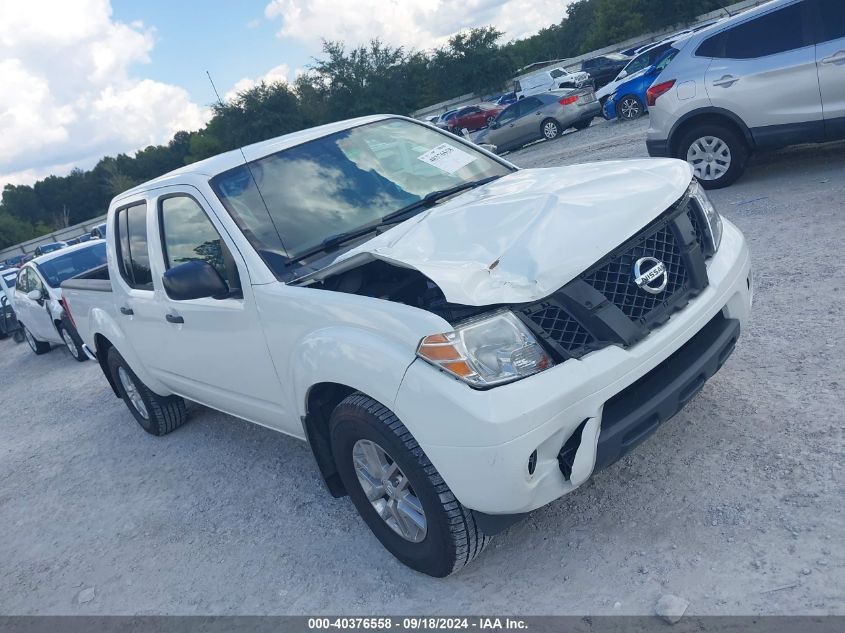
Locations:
{"points": [[830, 61]]}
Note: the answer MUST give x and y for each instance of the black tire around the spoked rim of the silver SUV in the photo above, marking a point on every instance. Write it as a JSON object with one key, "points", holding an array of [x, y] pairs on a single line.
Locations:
{"points": [[737, 152]]}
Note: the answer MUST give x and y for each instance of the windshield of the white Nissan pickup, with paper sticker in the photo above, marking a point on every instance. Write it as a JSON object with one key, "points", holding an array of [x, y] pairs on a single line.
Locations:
{"points": [[290, 202]]}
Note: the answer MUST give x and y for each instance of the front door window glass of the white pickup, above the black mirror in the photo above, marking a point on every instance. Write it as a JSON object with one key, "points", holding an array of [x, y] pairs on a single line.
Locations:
{"points": [[188, 235]]}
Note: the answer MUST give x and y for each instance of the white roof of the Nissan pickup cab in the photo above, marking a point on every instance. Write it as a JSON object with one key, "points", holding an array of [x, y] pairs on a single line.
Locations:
{"points": [[227, 160]]}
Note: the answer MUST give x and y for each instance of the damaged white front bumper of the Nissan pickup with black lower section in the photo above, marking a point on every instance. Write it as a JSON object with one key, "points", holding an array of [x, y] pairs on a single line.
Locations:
{"points": [[481, 441]]}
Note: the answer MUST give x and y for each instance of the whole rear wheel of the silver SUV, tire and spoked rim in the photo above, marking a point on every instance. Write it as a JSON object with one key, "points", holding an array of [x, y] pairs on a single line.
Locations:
{"points": [[716, 153]]}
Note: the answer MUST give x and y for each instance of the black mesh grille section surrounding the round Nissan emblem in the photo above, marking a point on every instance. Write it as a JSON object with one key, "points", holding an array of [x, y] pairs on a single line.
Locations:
{"points": [[615, 279]]}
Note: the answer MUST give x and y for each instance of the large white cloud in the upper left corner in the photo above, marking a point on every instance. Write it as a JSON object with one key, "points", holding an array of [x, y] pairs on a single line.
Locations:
{"points": [[69, 96]]}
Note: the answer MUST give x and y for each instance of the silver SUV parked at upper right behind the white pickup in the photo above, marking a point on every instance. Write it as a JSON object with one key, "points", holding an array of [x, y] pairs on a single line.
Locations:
{"points": [[766, 78]]}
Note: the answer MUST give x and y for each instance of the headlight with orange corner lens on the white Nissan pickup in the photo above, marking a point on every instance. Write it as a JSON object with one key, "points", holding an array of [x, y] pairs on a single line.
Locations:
{"points": [[487, 351]]}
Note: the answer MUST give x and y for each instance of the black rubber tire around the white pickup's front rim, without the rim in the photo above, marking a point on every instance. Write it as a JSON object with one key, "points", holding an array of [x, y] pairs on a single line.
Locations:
{"points": [[452, 538]]}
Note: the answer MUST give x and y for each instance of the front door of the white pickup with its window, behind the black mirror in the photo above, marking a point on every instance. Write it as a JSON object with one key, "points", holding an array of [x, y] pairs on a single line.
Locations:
{"points": [[214, 349]]}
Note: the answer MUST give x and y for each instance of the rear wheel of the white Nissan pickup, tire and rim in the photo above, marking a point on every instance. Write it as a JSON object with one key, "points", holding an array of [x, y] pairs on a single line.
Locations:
{"points": [[163, 413]]}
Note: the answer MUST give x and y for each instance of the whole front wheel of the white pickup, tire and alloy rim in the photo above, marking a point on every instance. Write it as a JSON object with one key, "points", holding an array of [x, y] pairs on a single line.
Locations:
{"points": [[398, 492]]}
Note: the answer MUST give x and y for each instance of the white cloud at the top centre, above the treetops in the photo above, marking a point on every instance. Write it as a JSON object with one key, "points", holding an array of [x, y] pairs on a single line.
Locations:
{"points": [[418, 24]]}
